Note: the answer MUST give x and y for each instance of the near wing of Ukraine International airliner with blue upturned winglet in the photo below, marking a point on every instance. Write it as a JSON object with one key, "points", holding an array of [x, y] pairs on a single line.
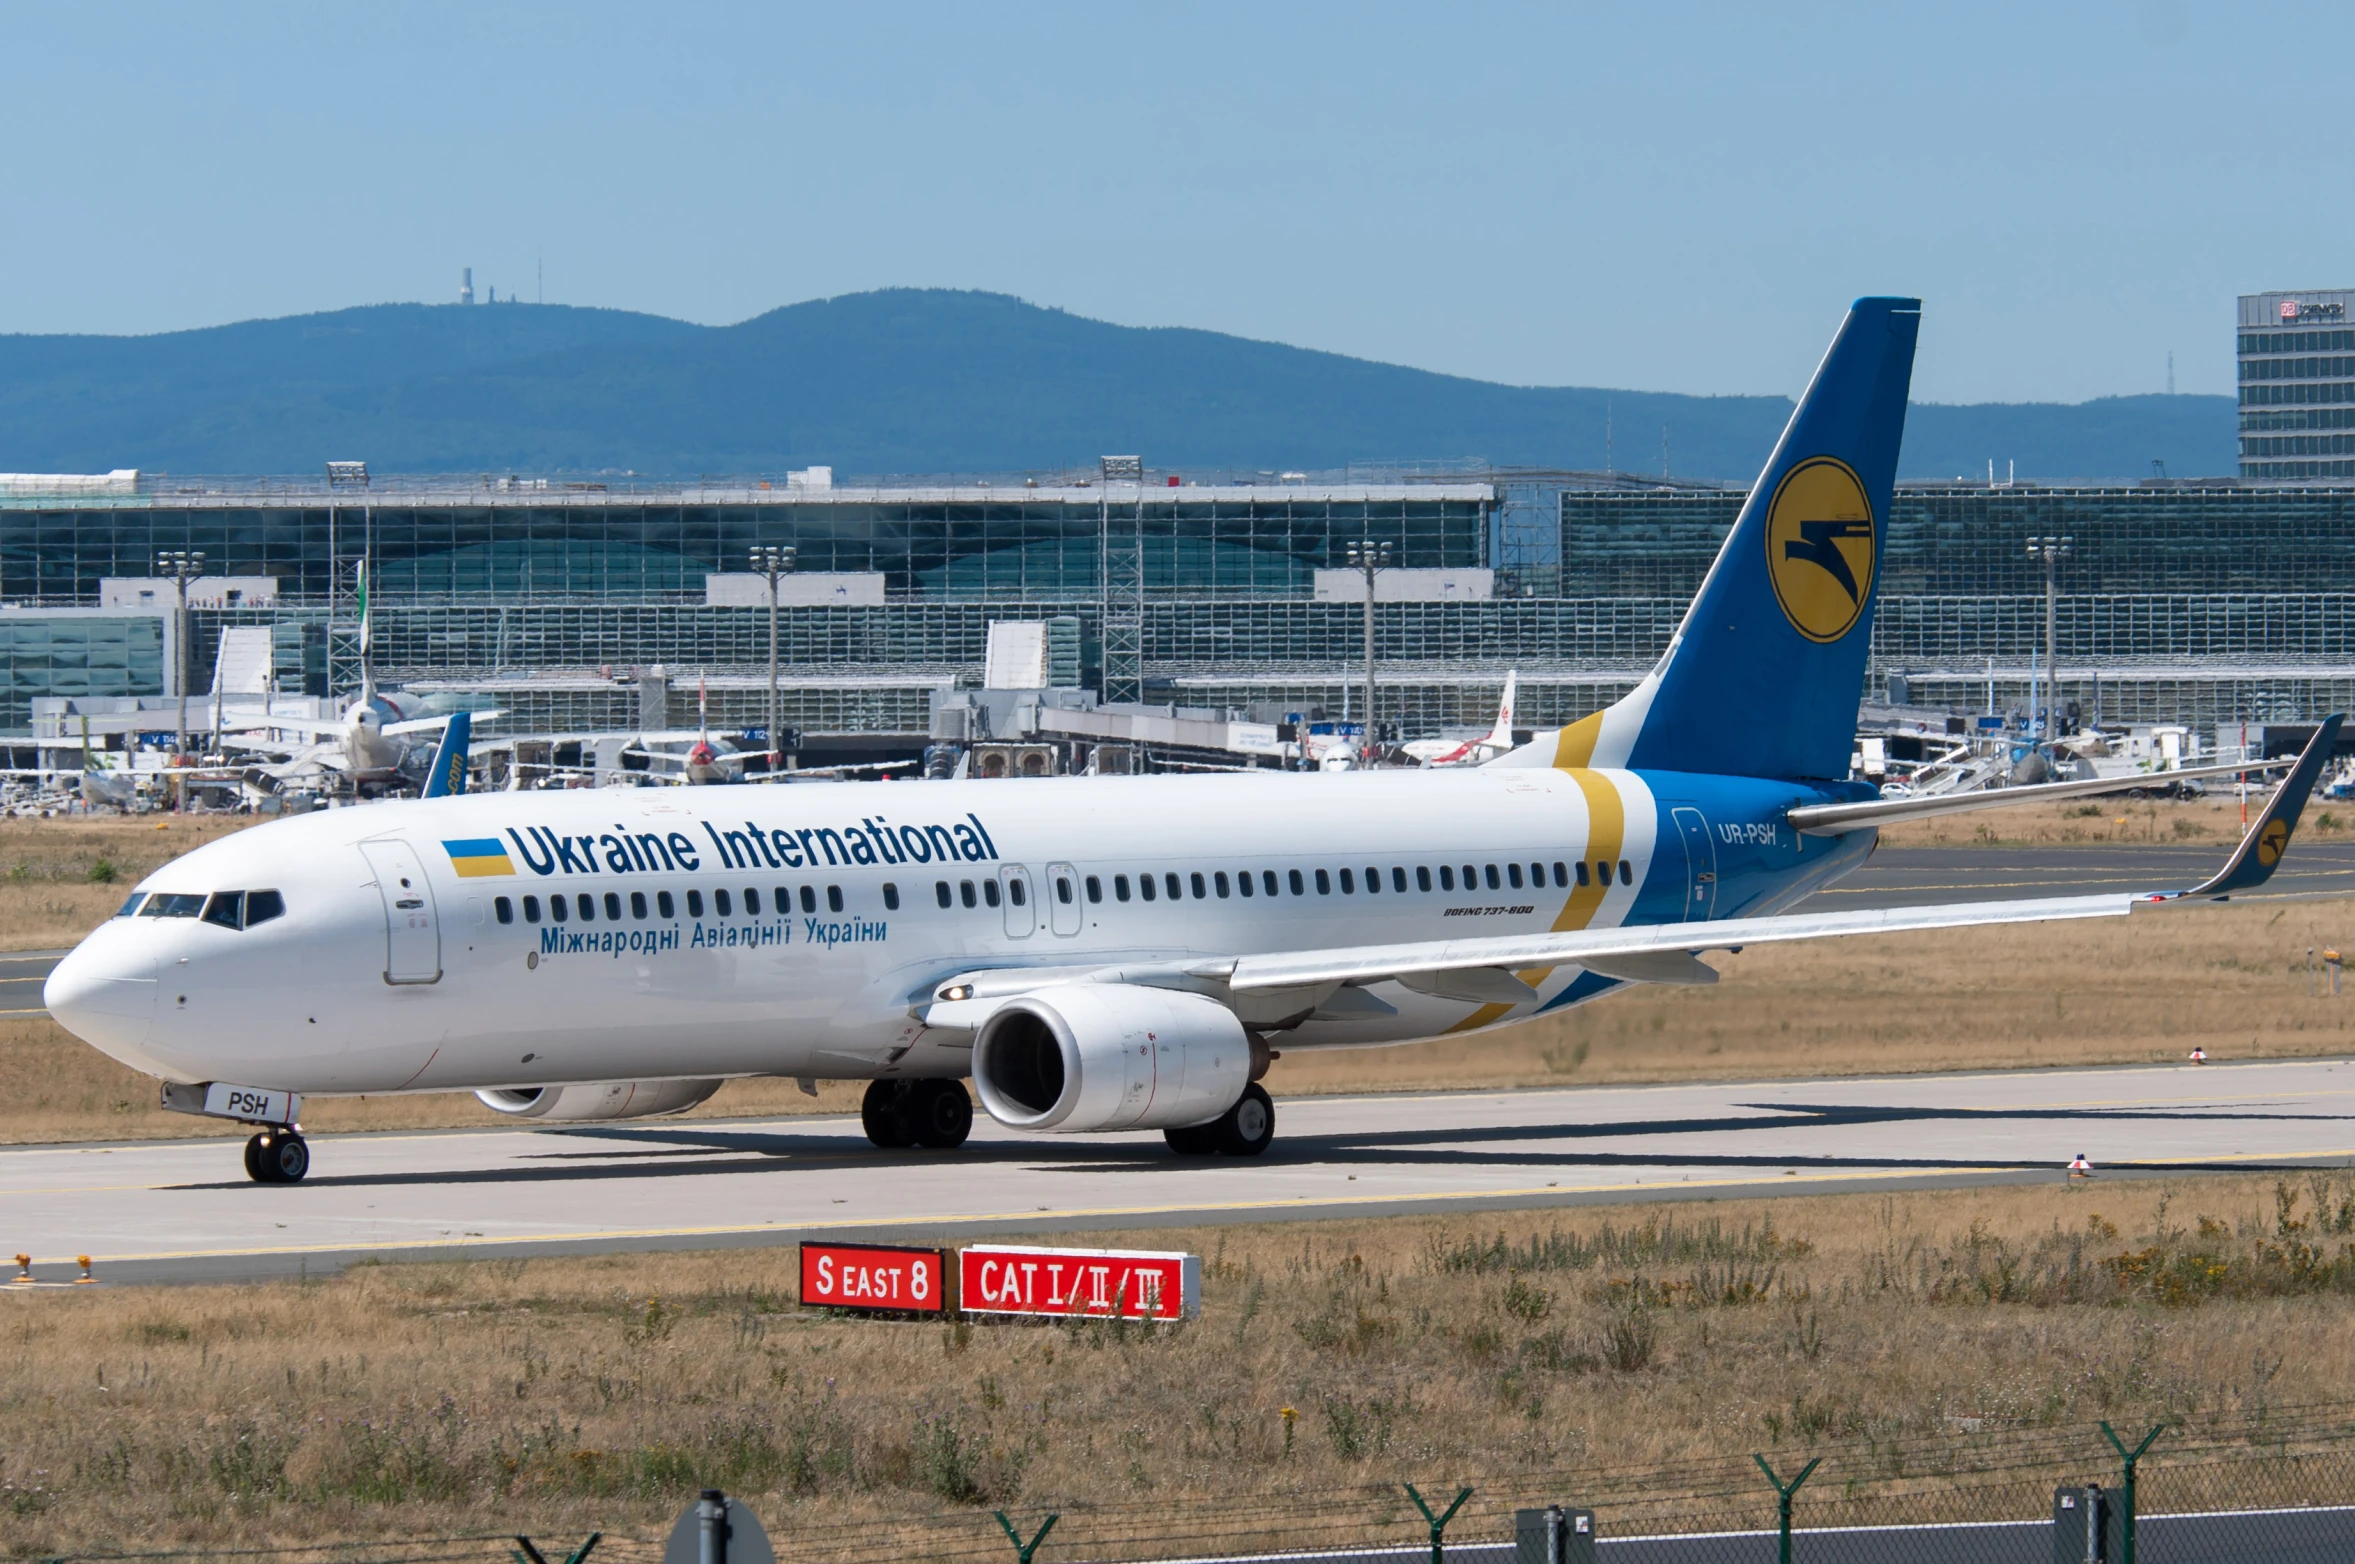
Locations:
{"points": [[1490, 969]]}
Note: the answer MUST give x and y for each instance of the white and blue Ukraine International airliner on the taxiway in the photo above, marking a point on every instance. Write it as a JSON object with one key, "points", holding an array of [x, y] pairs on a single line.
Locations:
{"points": [[1096, 955]]}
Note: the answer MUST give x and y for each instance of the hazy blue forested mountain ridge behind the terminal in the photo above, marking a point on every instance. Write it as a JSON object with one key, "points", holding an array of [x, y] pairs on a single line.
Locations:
{"points": [[917, 383]]}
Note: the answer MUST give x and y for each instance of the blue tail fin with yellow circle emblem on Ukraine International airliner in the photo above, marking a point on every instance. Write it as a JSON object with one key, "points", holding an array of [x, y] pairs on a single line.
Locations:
{"points": [[1765, 675]]}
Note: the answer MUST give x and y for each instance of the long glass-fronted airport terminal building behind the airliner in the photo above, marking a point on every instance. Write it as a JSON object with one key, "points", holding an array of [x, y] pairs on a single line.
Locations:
{"points": [[2194, 602]]}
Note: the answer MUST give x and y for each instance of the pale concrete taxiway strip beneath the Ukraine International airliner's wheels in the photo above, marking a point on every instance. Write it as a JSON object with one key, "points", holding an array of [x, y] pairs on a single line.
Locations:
{"points": [[185, 1212]]}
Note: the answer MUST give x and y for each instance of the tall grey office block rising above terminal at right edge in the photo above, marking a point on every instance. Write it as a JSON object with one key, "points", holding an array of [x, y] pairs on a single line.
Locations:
{"points": [[2297, 385]]}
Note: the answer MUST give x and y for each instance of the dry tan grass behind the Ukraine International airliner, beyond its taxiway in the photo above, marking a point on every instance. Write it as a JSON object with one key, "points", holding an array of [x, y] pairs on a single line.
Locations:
{"points": [[2114, 993]]}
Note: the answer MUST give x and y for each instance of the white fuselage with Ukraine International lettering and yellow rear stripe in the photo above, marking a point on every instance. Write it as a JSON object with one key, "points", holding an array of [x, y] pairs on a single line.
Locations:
{"points": [[394, 972]]}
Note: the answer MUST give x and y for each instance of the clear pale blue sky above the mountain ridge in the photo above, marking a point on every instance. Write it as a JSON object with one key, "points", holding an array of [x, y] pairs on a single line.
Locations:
{"points": [[1659, 197]]}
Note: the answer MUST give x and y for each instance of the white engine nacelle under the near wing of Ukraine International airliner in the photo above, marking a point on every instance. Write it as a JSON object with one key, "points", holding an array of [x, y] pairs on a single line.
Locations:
{"points": [[1110, 1059]]}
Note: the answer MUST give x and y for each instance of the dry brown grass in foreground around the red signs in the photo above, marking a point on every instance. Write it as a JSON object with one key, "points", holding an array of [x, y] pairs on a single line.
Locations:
{"points": [[599, 1393]]}
